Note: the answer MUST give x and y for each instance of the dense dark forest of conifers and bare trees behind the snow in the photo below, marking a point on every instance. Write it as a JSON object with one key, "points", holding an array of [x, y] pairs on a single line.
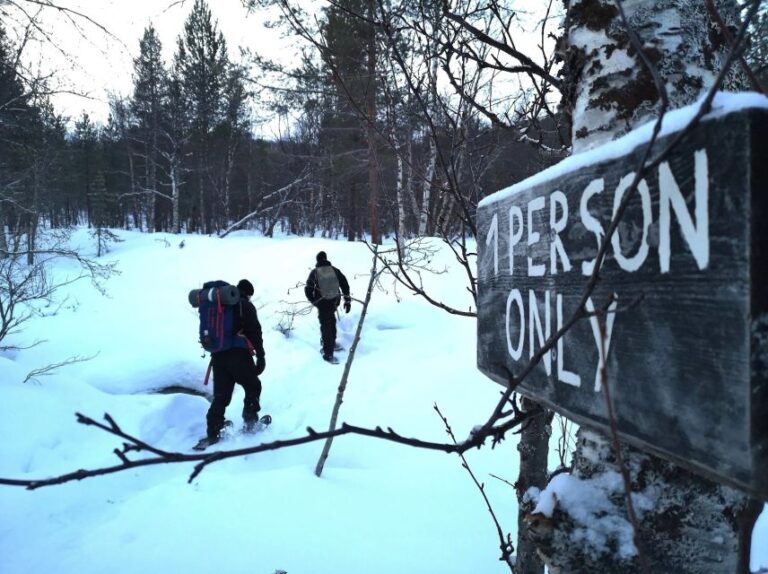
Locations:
{"points": [[369, 151]]}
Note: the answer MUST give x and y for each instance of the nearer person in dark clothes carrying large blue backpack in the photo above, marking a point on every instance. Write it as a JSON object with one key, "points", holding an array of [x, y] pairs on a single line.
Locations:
{"points": [[231, 332]]}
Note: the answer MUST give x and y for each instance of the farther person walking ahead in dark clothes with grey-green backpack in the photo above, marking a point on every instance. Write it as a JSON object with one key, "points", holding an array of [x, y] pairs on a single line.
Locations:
{"points": [[324, 288]]}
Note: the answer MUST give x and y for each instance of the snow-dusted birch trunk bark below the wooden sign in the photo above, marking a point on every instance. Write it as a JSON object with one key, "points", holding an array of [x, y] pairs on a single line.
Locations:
{"points": [[688, 525]]}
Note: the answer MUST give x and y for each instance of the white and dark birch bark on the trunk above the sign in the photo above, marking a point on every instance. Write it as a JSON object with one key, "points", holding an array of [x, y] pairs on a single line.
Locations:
{"points": [[612, 90]]}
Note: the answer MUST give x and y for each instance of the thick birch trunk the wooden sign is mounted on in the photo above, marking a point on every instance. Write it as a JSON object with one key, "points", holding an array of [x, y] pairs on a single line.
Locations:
{"points": [[693, 525]]}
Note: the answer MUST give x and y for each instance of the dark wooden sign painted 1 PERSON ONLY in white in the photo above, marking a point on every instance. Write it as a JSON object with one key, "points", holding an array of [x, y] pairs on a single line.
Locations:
{"points": [[685, 282]]}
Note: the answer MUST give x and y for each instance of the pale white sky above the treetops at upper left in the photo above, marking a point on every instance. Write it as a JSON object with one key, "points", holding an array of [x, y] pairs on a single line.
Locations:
{"points": [[87, 60]]}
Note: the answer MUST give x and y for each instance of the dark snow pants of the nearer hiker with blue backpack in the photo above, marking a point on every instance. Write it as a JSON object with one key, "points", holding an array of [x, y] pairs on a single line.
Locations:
{"points": [[230, 367]]}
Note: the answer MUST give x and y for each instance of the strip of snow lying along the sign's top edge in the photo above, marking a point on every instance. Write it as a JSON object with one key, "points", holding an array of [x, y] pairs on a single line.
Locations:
{"points": [[675, 120]]}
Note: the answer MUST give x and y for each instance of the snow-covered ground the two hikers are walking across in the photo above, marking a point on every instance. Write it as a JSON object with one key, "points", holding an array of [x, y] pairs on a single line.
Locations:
{"points": [[378, 508]]}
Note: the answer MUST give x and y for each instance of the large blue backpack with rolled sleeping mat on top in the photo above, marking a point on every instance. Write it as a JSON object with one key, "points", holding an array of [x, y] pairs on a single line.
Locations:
{"points": [[217, 303]]}
